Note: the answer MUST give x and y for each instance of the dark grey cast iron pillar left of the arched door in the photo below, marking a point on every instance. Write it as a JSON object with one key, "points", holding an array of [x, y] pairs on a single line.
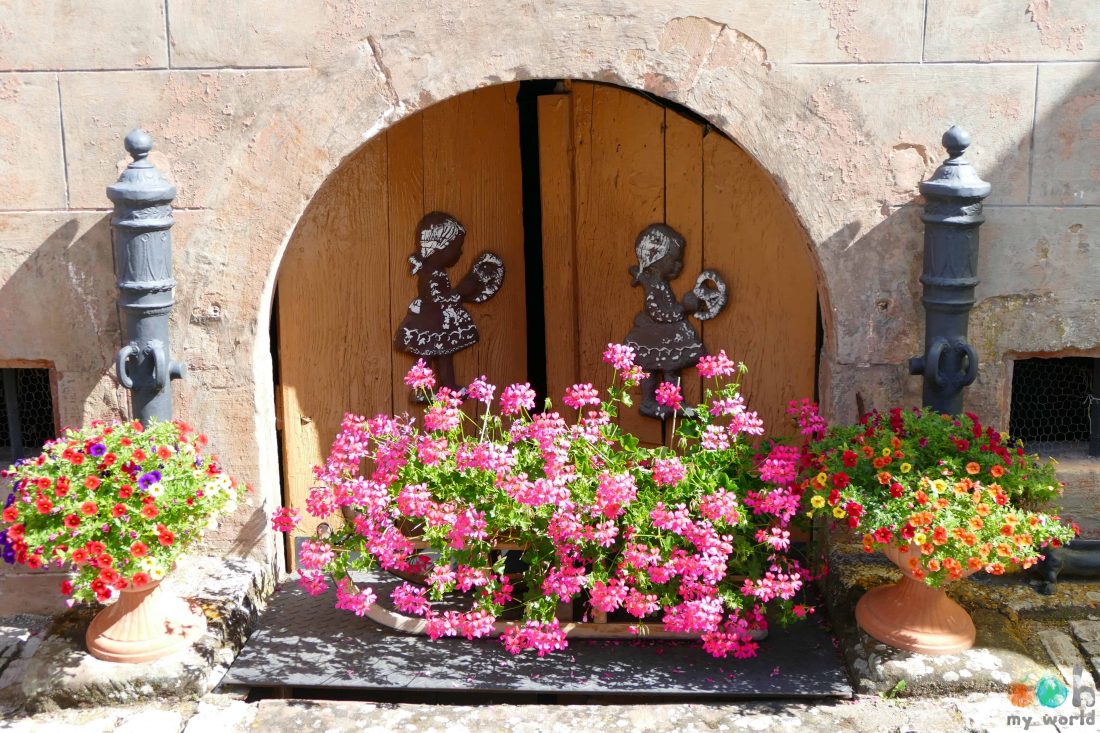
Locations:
{"points": [[144, 265]]}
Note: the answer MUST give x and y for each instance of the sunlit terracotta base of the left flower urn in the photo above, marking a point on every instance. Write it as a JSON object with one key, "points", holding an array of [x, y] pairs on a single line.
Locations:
{"points": [[145, 625]]}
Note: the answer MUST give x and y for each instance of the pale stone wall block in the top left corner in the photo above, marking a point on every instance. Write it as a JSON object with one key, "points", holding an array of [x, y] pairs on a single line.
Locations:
{"points": [[78, 36]]}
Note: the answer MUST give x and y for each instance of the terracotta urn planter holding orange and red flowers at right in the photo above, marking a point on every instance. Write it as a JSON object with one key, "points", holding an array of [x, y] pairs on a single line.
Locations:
{"points": [[914, 616]]}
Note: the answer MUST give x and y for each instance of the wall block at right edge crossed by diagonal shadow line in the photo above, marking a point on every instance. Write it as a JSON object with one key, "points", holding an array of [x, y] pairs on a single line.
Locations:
{"points": [[1068, 135]]}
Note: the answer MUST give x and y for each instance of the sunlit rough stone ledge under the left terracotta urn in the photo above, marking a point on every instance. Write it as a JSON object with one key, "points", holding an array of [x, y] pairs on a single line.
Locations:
{"points": [[233, 593]]}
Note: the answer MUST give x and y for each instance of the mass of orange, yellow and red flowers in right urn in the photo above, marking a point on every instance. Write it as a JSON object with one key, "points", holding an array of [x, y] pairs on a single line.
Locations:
{"points": [[939, 499]]}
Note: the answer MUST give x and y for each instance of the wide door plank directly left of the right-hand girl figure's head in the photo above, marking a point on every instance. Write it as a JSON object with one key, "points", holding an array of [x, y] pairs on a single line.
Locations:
{"points": [[621, 191]]}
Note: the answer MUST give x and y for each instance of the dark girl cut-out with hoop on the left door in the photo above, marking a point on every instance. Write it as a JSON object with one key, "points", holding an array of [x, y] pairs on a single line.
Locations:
{"points": [[438, 325]]}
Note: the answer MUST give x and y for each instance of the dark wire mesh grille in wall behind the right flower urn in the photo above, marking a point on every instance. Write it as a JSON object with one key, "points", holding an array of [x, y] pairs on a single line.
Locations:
{"points": [[1052, 400]]}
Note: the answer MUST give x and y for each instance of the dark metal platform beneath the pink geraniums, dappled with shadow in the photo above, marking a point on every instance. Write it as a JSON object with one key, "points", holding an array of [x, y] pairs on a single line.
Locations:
{"points": [[304, 642]]}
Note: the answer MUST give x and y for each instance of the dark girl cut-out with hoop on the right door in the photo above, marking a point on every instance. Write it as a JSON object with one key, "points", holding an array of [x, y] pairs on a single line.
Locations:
{"points": [[663, 338]]}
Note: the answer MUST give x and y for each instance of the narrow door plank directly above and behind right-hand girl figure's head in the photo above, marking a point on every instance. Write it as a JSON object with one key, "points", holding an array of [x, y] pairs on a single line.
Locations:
{"points": [[684, 212]]}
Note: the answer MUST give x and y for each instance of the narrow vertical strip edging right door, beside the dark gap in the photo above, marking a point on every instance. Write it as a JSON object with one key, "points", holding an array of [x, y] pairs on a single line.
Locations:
{"points": [[559, 254]]}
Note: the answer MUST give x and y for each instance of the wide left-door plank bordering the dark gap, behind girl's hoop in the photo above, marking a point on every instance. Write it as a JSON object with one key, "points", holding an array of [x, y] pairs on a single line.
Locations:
{"points": [[472, 171]]}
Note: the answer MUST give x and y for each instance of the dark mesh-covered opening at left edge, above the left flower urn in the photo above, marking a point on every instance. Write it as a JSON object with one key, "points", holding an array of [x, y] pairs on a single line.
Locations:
{"points": [[27, 412]]}
